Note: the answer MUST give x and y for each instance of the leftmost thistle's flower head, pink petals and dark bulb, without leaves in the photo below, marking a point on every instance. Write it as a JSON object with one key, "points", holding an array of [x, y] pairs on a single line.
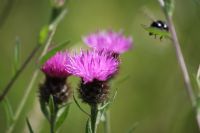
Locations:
{"points": [[55, 79]]}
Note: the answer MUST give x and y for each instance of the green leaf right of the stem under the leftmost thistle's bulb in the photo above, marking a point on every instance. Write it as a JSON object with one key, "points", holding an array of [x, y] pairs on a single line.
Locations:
{"points": [[62, 115]]}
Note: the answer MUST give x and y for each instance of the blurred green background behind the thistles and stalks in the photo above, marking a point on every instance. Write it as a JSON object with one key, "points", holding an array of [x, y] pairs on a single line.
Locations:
{"points": [[153, 94]]}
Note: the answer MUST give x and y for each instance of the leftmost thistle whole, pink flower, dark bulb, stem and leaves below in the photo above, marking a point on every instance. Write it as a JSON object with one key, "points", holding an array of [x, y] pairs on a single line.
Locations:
{"points": [[54, 93]]}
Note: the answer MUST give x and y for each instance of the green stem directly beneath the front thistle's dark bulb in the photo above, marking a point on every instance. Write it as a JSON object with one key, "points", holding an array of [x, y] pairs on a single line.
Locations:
{"points": [[94, 113]]}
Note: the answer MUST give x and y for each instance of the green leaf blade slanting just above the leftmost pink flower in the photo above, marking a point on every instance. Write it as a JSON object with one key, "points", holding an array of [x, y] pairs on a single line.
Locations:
{"points": [[53, 52]]}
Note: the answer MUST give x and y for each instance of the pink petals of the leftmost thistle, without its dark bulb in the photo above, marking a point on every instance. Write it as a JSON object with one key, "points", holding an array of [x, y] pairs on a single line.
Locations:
{"points": [[55, 66]]}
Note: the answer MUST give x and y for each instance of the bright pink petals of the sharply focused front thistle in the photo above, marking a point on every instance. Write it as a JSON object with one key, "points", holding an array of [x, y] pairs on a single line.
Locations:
{"points": [[92, 65]]}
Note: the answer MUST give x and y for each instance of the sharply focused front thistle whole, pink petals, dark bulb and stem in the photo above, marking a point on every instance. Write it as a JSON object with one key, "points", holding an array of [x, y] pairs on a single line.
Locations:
{"points": [[95, 69]]}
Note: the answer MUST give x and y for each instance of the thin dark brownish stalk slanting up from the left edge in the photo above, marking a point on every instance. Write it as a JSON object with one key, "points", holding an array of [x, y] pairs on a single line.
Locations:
{"points": [[19, 71]]}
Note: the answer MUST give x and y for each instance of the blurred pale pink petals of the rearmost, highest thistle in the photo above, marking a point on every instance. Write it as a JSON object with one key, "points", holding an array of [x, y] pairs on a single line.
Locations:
{"points": [[108, 40]]}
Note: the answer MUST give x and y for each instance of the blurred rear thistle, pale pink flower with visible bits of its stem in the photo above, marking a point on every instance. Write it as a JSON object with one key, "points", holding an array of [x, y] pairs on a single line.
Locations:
{"points": [[113, 43]]}
